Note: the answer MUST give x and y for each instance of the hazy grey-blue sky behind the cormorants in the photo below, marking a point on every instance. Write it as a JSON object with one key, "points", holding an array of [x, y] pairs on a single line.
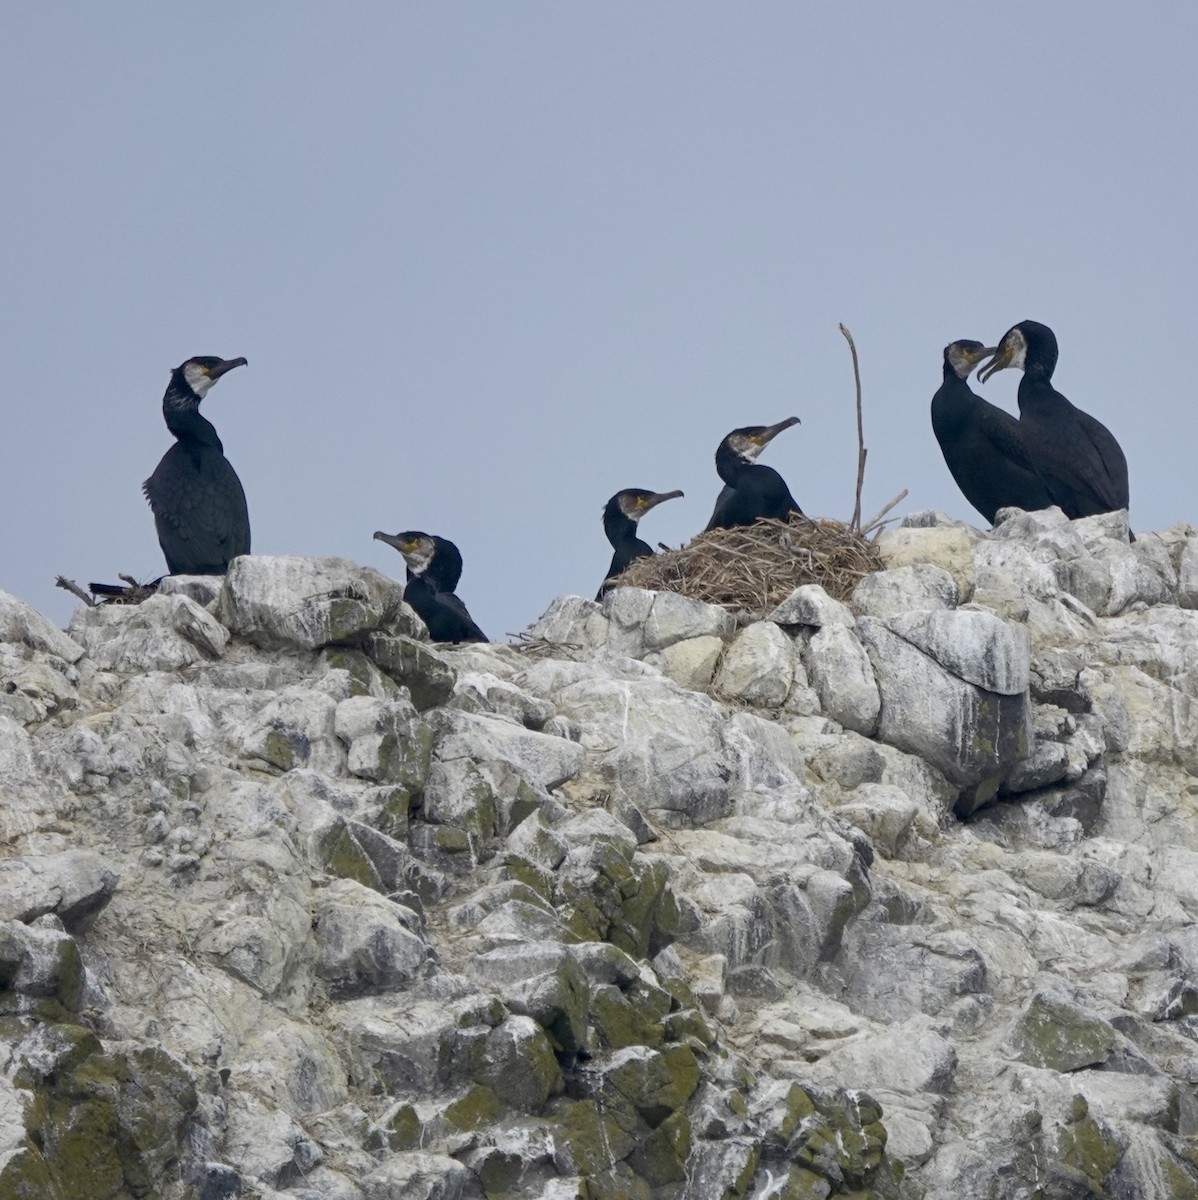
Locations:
{"points": [[493, 262]]}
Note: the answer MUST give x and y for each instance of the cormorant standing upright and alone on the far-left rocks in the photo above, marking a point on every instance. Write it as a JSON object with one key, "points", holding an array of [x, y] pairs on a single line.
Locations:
{"points": [[195, 494]]}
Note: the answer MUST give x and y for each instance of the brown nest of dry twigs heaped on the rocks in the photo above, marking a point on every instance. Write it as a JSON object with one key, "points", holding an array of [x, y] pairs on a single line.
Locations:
{"points": [[754, 568]]}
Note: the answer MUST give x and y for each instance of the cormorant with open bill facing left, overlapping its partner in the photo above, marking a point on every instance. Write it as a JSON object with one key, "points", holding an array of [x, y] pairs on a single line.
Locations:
{"points": [[1082, 465]]}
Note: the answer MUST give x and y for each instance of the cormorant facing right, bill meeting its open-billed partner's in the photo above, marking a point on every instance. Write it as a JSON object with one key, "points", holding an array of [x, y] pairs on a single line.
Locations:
{"points": [[984, 446]]}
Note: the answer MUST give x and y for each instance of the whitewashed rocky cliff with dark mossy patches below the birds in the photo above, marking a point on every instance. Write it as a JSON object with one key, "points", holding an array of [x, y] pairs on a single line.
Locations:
{"points": [[890, 899]]}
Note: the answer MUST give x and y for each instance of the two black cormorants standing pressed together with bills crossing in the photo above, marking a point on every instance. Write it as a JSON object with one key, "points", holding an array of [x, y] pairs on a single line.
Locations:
{"points": [[1053, 454]]}
